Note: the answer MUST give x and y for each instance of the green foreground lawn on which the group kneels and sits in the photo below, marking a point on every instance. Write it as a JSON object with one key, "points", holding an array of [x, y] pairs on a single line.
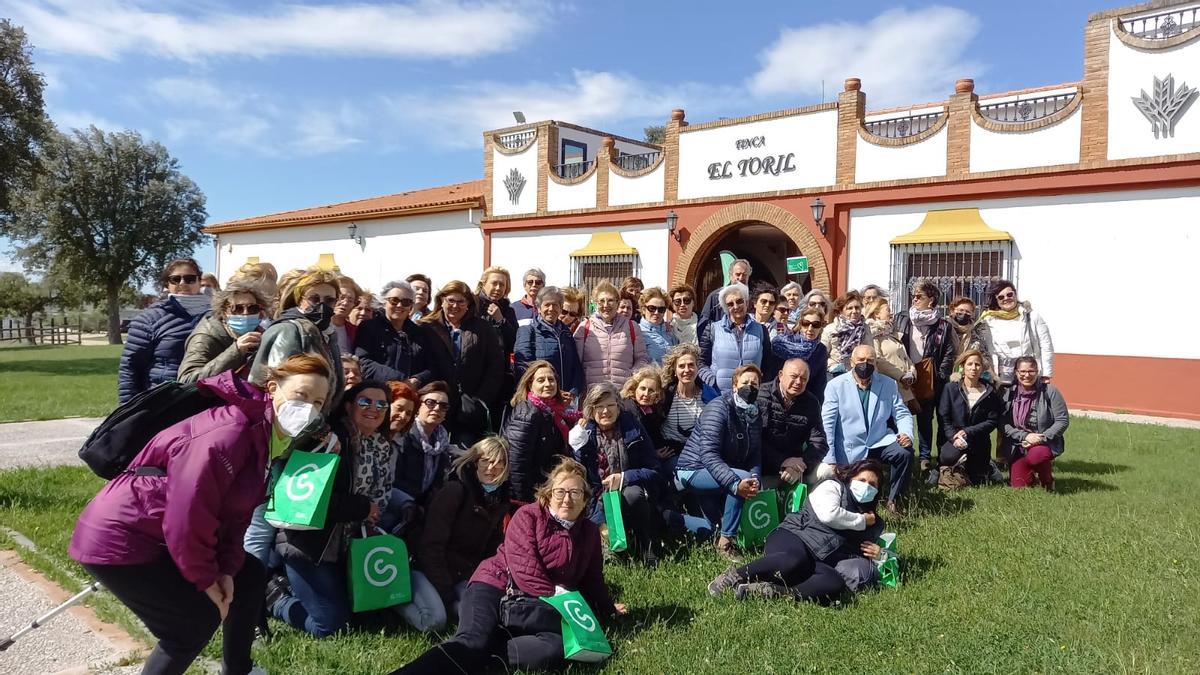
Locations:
{"points": [[1099, 577]]}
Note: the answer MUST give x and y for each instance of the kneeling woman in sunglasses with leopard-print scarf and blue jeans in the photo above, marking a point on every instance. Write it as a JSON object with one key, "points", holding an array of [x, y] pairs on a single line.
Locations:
{"points": [[313, 594]]}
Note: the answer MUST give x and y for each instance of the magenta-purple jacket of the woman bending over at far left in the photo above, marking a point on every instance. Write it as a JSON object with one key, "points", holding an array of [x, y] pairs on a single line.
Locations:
{"points": [[217, 476]]}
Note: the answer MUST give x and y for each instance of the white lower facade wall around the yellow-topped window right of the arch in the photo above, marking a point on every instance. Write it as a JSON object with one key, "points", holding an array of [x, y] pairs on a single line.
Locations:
{"points": [[1084, 259]]}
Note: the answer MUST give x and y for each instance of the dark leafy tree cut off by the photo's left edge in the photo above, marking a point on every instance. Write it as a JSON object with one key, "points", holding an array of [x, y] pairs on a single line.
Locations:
{"points": [[23, 124]]}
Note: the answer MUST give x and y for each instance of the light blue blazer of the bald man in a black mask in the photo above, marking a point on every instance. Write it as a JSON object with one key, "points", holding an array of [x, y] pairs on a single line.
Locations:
{"points": [[850, 433]]}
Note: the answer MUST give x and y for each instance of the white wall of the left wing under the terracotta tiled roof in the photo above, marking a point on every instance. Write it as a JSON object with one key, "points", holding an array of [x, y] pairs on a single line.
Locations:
{"points": [[443, 246]]}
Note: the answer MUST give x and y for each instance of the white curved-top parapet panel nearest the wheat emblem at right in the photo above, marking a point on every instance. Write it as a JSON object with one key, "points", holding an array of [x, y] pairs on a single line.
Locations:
{"points": [[1057, 145]]}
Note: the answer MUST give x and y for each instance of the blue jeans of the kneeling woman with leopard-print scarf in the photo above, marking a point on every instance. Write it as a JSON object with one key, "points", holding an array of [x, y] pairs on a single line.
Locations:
{"points": [[319, 604]]}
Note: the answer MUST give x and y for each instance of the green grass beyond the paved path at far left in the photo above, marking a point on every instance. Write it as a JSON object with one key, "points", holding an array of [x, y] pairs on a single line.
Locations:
{"points": [[57, 383]]}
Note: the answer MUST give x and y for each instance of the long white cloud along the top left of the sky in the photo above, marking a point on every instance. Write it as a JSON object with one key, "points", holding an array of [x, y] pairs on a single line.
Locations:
{"points": [[422, 29]]}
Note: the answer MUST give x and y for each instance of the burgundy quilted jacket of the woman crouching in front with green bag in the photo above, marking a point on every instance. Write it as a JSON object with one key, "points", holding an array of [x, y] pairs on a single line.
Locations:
{"points": [[541, 554]]}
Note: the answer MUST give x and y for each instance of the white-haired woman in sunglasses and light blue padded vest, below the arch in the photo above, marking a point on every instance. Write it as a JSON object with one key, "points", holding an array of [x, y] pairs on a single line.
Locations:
{"points": [[733, 342]]}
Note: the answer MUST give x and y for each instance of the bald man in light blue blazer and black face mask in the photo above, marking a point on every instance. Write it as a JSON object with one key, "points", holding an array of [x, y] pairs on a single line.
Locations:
{"points": [[855, 416]]}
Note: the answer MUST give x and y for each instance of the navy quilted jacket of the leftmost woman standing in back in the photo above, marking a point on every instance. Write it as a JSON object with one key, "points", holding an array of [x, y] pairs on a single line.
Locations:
{"points": [[154, 348]]}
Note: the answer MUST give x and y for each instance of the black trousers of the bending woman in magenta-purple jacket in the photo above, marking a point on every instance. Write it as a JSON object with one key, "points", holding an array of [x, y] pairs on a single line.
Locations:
{"points": [[184, 619]]}
